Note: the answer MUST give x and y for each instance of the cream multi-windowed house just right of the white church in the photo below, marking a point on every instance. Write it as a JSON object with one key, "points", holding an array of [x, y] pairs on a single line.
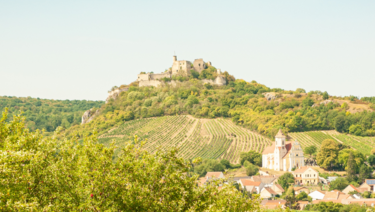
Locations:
{"points": [[306, 175]]}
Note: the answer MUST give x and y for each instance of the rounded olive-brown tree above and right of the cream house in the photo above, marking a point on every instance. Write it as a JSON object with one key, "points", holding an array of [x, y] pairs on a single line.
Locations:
{"points": [[328, 153]]}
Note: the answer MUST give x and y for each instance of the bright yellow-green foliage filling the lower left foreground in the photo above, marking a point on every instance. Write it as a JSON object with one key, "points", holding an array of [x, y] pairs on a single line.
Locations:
{"points": [[46, 174]]}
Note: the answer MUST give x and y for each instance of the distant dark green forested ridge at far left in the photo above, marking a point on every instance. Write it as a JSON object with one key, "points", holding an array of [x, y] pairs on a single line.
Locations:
{"points": [[46, 113]]}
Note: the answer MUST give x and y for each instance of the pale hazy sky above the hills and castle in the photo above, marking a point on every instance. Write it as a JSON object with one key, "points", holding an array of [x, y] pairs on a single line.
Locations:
{"points": [[80, 49]]}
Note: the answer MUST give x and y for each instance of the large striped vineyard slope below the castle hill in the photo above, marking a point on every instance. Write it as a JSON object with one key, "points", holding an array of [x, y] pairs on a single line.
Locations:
{"points": [[205, 138]]}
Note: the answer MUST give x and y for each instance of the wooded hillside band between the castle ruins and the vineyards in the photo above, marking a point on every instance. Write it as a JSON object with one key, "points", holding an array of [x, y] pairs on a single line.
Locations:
{"points": [[243, 102]]}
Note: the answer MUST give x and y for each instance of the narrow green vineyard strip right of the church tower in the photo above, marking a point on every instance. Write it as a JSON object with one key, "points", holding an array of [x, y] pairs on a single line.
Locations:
{"points": [[362, 144]]}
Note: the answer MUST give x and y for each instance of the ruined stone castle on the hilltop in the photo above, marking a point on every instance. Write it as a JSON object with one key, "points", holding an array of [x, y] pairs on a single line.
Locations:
{"points": [[181, 68]]}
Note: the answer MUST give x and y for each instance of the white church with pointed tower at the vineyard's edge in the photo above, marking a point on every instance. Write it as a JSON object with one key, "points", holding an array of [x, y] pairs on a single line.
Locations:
{"points": [[282, 156]]}
